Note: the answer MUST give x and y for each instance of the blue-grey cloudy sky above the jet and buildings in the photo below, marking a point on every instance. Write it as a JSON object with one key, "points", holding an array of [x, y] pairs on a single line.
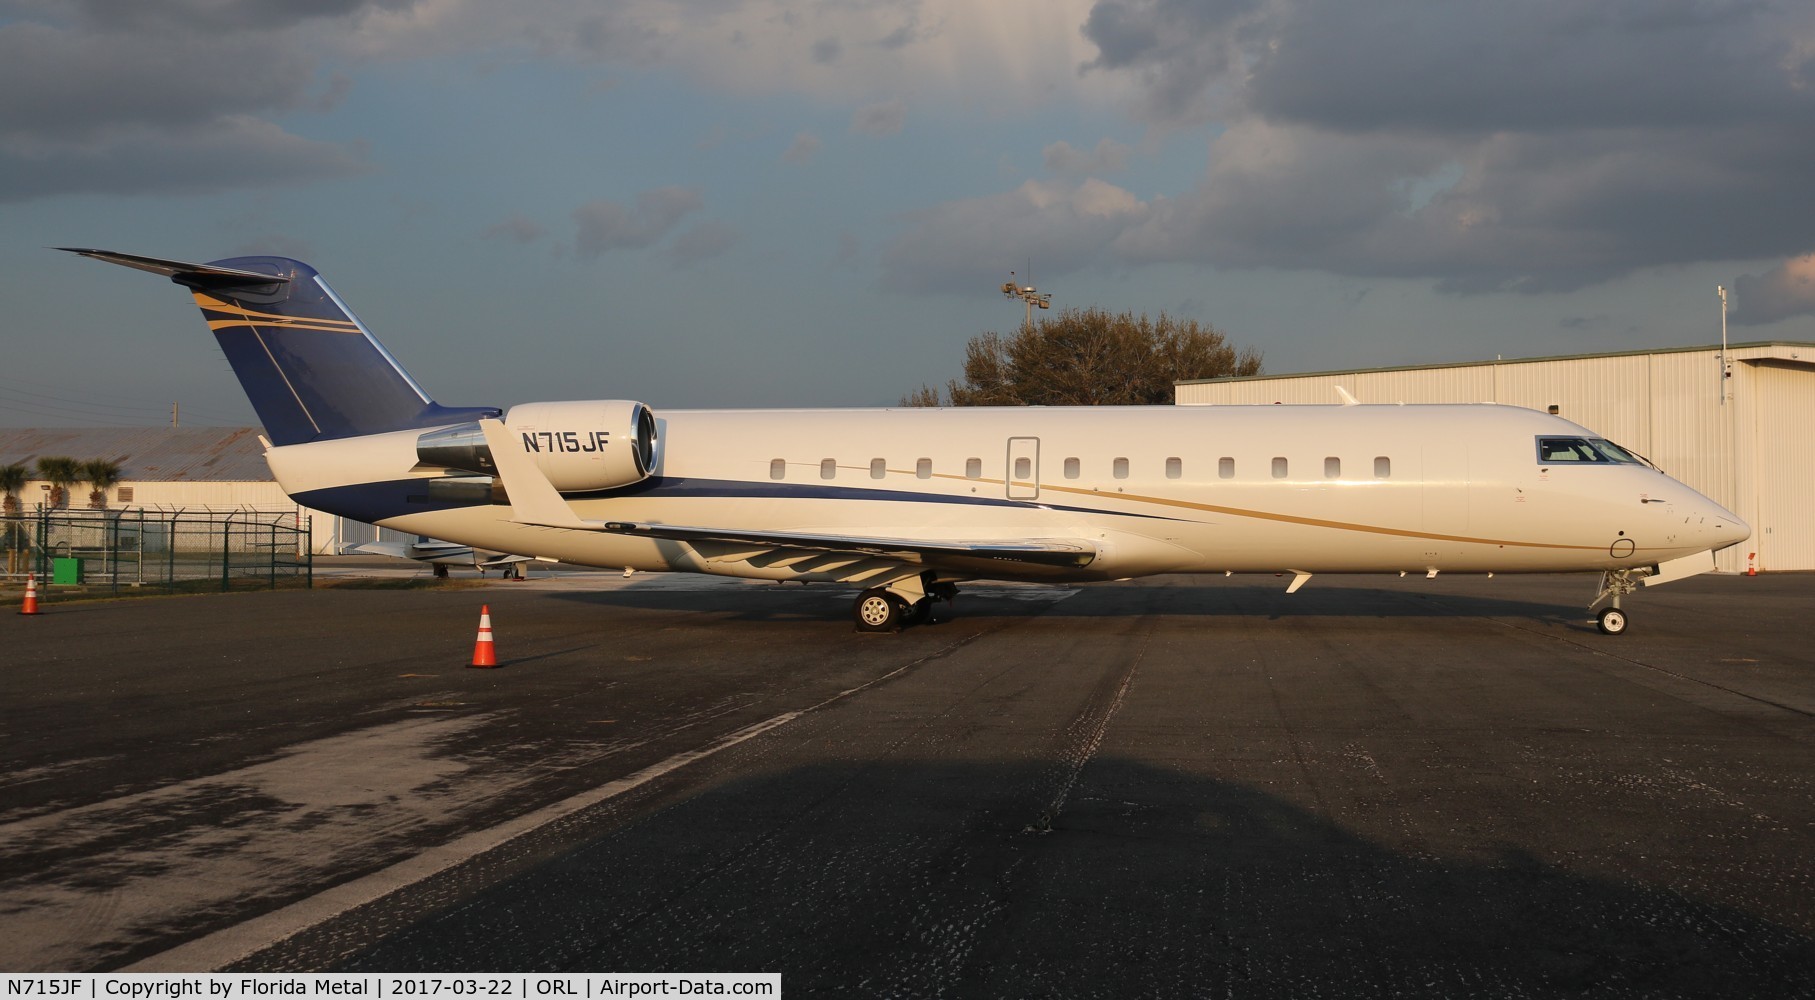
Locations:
{"points": [[761, 202]]}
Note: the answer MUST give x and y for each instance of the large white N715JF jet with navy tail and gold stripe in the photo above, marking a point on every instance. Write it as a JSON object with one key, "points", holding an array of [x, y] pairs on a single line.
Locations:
{"points": [[908, 504]]}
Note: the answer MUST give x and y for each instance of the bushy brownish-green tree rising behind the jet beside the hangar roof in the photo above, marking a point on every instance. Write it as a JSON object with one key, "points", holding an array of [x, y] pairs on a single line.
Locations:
{"points": [[1090, 358]]}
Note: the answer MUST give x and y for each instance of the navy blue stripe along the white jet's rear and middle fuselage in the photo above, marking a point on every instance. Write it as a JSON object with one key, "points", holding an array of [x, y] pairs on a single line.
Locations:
{"points": [[378, 502]]}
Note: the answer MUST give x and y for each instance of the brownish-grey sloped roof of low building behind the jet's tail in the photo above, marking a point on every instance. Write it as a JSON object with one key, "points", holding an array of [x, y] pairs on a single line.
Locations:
{"points": [[148, 455]]}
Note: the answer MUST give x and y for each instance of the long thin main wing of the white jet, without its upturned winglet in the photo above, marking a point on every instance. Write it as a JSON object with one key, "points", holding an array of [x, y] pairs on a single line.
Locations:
{"points": [[1039, 553]]}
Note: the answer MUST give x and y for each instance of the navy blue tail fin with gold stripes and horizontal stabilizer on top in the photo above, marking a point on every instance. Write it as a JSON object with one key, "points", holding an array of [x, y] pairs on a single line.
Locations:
{"points": [[309, 368]]}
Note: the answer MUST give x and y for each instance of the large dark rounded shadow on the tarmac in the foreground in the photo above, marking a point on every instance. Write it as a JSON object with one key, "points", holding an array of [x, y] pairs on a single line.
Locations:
{"points": [[945, 879]]}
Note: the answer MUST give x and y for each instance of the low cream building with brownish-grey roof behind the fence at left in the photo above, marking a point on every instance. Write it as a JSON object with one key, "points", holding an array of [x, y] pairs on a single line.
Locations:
{"points": [[173, 469]]}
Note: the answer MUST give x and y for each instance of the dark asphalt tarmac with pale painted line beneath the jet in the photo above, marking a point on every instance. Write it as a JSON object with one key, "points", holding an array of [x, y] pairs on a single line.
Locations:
{"points": [[1161, 789]]}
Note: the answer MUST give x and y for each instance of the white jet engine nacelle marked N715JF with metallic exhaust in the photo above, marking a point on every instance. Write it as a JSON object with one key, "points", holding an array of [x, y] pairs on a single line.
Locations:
{"points": [[585, 446]]}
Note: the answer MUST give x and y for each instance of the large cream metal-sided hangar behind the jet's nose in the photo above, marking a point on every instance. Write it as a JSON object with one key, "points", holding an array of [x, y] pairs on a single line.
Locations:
{"points": [[1741, 431]]}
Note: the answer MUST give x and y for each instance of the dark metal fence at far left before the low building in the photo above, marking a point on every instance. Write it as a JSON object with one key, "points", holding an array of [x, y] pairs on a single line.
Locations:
{"points": [[159, 551]]}
